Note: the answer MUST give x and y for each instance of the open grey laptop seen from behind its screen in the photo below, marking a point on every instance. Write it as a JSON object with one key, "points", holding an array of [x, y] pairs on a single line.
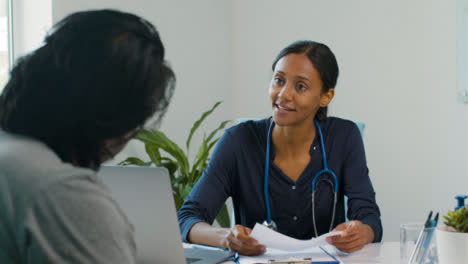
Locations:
{"points": [[144, 194]]}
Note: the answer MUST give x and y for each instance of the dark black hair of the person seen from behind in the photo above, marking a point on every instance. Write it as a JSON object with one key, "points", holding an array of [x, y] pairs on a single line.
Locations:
{"points": [[99, 76]]}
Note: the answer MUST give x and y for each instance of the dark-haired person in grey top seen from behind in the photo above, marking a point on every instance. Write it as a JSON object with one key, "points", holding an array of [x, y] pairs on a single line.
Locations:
{"points": [[69, 106]]}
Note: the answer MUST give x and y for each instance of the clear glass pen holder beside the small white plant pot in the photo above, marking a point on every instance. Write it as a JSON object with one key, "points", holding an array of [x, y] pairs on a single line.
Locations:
{"points": [[409, 234]]}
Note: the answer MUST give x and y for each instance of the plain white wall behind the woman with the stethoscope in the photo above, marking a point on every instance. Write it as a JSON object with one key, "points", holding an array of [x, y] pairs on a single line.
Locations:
{"points": [[397, 60]]}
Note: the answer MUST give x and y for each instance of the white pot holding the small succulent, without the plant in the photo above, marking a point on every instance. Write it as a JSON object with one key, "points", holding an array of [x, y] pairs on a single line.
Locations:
{"points": [[452, 247]]}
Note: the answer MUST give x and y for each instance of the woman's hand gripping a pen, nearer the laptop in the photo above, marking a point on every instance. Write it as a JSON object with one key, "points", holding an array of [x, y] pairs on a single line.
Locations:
{"points": [[238, 239]]}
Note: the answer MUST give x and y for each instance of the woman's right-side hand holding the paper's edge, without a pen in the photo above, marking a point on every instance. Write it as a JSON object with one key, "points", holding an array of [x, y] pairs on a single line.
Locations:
{"points": [[355, 235]]}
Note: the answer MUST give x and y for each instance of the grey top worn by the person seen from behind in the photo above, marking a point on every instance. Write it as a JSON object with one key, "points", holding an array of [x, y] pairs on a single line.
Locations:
{"points": [[52, 212]]}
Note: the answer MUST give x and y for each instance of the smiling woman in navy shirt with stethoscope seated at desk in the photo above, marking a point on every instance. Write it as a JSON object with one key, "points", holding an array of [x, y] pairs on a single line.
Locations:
{"points": [[289, 171]]}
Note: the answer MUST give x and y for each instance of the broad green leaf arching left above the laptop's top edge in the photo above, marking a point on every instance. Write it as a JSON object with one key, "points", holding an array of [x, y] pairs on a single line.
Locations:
{"points": [[160, 140]]}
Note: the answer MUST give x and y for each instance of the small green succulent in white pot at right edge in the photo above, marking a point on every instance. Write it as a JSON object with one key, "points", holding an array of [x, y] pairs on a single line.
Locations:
{"points": [[452, 238]]}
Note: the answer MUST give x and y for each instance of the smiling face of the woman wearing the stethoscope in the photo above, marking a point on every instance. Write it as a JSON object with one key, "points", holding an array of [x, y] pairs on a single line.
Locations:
{"points": [[296, 91]]}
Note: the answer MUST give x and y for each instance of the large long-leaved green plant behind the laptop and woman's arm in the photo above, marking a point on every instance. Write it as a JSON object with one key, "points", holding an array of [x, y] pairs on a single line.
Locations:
{"points": [[162, 151]]}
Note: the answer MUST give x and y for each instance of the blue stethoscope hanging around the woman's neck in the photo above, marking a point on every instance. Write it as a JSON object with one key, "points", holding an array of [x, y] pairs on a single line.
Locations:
{"points": [[269, 222]]}
